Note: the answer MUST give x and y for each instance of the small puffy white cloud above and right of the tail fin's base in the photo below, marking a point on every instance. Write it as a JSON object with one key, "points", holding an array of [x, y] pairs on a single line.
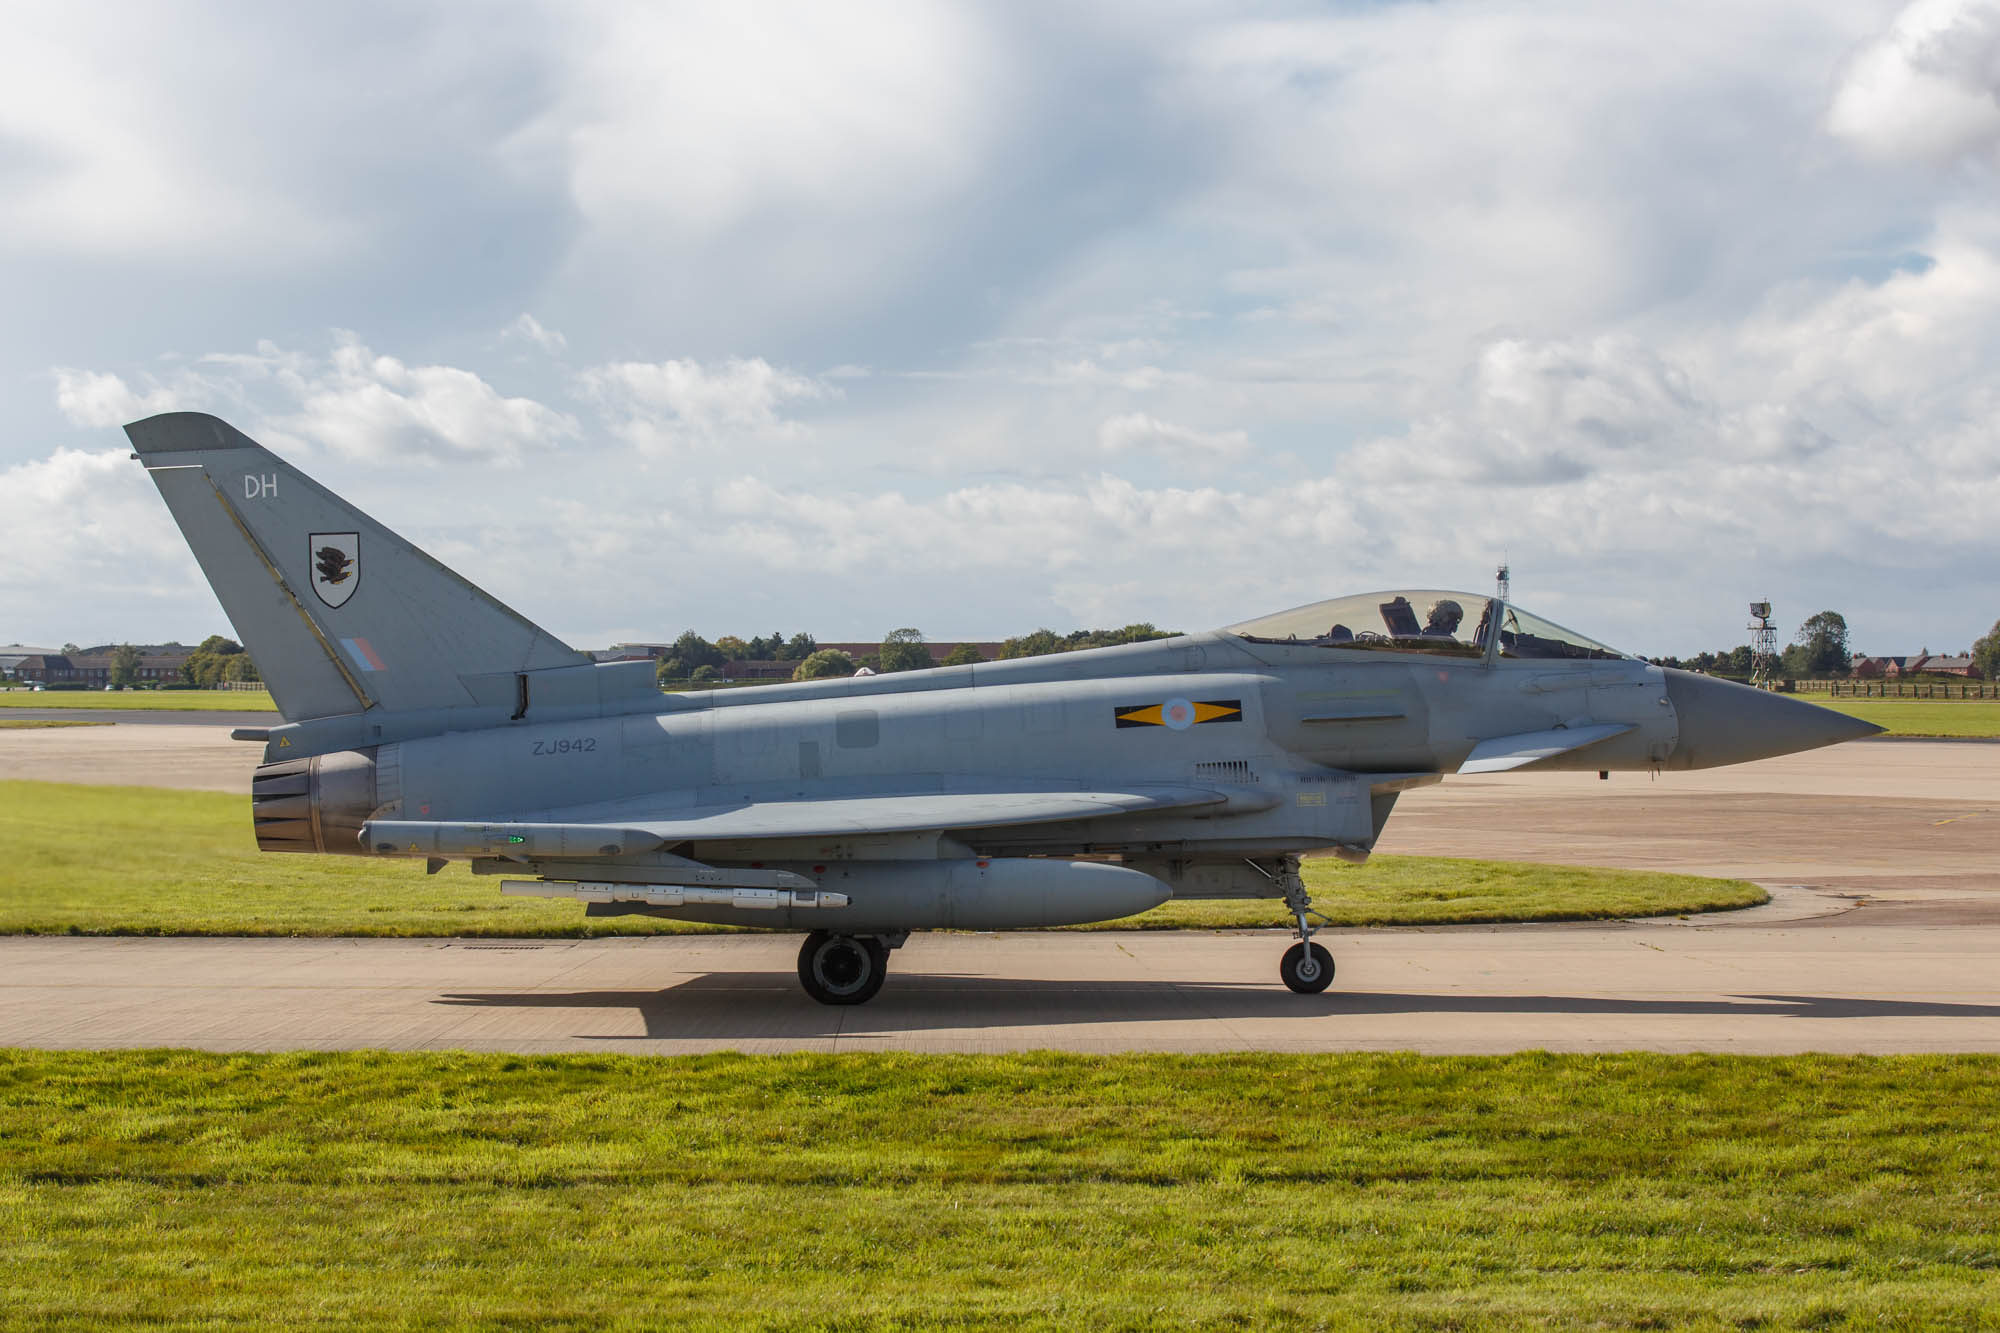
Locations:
{"points": [[661, 407]]}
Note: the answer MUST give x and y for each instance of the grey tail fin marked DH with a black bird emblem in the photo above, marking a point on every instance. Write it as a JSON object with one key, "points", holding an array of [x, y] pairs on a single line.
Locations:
{"points": [[339, 613]]}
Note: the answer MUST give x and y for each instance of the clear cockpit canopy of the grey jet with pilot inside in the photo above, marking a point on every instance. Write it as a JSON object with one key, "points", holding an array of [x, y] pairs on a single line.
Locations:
{"points": [[1423, 621]]}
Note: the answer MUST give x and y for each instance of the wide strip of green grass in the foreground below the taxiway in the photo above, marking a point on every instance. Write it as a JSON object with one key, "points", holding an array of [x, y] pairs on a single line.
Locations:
{"points": [[1043, 1192]]}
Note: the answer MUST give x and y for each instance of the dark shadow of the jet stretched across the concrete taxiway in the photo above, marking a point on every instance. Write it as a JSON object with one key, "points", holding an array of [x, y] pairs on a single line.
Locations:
{"points": [[769, 1006]]}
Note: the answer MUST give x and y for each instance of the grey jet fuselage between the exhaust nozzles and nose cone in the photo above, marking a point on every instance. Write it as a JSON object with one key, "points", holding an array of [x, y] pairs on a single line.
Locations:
{"points": [[1305, 742]]}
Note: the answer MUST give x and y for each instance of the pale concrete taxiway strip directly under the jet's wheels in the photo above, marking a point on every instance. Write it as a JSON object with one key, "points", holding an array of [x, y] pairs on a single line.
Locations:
{"points": [[1767, 982]]}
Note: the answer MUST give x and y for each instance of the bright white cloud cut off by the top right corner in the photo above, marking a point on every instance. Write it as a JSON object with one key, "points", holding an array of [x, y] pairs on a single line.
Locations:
{"points": [[1925, 89]]}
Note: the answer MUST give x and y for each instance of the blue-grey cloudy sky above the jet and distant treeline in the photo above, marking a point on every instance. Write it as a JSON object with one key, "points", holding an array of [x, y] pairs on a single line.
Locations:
{"points": [[989, 317]]}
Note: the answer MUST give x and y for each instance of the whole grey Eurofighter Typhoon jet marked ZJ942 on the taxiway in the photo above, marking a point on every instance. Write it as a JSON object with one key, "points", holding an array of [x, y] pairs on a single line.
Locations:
{"points": [[425, 720]]}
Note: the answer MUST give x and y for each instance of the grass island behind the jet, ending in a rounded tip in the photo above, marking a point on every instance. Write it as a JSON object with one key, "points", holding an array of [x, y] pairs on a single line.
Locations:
{"points": [[149, 862]]}
